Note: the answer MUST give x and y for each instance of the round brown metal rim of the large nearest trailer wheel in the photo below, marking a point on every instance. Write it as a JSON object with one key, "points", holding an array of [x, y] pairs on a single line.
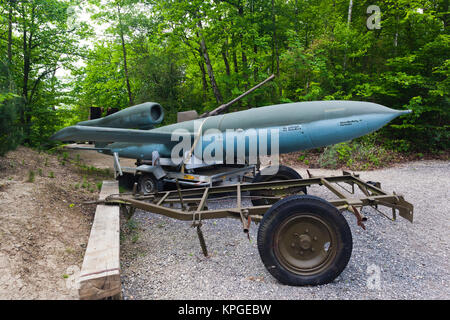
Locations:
{"points": [[305, 244]]}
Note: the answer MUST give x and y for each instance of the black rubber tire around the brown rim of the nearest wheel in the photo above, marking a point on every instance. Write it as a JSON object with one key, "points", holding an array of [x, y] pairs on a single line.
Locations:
{"points": [[297, 206]]}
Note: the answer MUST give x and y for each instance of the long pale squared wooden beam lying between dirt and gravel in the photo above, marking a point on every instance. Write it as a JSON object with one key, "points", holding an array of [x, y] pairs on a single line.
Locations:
{"points": [[100, 273]]}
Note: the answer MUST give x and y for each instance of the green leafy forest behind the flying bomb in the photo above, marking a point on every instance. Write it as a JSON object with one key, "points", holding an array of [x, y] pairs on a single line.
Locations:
{"points": [[58, 58]]}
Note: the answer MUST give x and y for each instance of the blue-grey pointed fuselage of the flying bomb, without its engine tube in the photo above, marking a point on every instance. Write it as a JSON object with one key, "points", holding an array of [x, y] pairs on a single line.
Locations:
{"points": [[294, 127]]}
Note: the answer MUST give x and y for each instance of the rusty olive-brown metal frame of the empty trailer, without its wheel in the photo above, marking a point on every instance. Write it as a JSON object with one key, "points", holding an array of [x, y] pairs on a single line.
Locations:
{"points": [[255, 213]]}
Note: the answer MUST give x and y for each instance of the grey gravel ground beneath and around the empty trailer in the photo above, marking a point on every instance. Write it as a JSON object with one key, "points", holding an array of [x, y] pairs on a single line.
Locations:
{"points": [[165, 261]]}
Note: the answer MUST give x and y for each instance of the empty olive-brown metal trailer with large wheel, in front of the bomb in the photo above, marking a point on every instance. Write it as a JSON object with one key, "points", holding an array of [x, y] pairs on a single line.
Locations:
{"points": [[302, 239]]}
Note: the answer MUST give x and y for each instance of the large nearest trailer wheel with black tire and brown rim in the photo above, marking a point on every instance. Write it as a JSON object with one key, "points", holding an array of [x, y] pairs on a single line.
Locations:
{"points": [[304, 240]]}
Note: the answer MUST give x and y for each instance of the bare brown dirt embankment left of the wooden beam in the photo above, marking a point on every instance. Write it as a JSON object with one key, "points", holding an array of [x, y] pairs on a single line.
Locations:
{"points": [[44, 228]]}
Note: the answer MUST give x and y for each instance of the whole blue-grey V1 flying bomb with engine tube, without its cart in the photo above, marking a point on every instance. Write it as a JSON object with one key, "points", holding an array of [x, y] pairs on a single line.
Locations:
{"points": [[297, 126]]}
